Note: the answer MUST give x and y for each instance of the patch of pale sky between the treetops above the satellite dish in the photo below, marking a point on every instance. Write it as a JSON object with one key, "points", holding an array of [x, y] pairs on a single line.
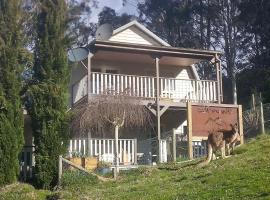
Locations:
{"points": [[117, 5]]}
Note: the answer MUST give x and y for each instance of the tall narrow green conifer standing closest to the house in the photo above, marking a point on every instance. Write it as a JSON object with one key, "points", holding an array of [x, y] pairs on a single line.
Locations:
{"points": [[48, 95]]}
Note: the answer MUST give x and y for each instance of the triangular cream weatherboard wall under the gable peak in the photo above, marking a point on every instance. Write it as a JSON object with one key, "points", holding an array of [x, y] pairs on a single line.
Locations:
{"points": [[133, 35]]}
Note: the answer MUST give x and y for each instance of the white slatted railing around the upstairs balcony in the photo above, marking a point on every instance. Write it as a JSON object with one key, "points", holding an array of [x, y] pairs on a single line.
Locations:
{"points": [[145, 87]]}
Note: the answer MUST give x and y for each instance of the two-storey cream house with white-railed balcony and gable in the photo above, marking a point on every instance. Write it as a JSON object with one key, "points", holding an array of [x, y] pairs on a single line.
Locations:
{"points": [[163, 77]]}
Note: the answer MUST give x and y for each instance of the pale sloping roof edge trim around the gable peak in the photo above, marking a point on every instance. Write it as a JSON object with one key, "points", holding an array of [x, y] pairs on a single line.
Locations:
{"points": [[143, 29]]}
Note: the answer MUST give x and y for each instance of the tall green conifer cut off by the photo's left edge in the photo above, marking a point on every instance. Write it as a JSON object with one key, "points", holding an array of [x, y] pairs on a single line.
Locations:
{"points": [[11, 116]]}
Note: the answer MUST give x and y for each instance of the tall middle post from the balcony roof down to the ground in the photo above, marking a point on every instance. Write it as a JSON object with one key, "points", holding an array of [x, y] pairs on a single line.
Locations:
{"points": [[158, 108]]}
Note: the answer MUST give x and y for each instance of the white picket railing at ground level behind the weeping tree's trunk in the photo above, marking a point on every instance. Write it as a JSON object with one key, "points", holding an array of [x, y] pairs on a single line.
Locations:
{"points": [[105, 149]]}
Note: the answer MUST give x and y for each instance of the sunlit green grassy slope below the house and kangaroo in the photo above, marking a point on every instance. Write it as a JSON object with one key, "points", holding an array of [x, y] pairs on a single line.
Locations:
{"points": [[246, 175]]}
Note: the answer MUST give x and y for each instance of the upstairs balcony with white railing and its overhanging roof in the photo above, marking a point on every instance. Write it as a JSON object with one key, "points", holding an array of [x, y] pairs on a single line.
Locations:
{"points": [[135, 68]]}
